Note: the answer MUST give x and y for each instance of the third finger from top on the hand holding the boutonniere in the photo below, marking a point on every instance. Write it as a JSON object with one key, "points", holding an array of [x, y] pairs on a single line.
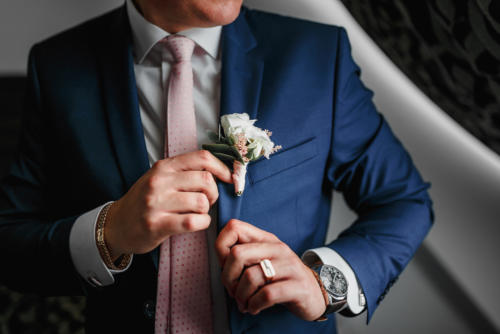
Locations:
{"points": [[185, 202]]}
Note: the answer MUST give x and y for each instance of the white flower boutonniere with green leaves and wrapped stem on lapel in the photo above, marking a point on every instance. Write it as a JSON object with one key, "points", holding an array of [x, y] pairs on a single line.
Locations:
{"points": [[240, 143]]}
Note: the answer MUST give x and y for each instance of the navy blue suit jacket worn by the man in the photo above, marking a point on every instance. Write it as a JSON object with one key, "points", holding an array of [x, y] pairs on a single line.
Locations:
{"points": [[82, 145]]}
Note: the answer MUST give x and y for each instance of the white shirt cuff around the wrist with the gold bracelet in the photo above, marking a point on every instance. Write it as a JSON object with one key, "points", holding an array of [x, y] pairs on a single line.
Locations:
{"points": [[84, 252]]}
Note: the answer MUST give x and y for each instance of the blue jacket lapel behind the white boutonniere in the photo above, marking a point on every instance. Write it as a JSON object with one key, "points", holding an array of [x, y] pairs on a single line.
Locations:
{"points": [[241, 81]]}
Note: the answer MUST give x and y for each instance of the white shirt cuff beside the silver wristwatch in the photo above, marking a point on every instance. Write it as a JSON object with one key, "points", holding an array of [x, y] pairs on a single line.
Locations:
{"points": [[355, 298]]}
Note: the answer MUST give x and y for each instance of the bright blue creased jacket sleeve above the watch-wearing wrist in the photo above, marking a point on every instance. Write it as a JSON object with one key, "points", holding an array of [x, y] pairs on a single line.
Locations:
{"points": [[379, 182]]}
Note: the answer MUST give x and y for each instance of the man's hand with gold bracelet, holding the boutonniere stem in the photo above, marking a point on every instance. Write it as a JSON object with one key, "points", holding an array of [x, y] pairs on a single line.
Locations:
{"points": [[173, 197]]}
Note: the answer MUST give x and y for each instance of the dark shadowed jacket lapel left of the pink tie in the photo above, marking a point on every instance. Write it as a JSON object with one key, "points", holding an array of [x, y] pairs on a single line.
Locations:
{"points": [[120, 100]]}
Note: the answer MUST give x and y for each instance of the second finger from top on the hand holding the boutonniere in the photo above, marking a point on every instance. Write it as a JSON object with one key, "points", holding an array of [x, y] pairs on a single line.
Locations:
{"points": [[201, 181]]}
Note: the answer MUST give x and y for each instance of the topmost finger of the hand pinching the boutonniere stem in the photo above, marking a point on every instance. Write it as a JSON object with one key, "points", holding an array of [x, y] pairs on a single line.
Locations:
{"points": [[198, 160]]}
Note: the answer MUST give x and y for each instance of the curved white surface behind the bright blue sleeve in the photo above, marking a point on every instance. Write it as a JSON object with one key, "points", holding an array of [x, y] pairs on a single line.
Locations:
{"points": [[465, 174]]}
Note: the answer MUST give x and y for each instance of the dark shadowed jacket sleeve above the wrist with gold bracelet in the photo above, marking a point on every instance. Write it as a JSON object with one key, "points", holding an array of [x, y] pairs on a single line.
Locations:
{"points": [[34, 233]]}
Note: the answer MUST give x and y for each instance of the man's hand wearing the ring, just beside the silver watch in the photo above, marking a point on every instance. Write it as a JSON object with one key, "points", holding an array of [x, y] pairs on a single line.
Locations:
{"points": [[240, 247]]}
